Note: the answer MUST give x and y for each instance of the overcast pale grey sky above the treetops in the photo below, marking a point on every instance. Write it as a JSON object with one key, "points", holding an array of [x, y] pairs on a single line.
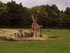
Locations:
{"points": [[61, 4]]}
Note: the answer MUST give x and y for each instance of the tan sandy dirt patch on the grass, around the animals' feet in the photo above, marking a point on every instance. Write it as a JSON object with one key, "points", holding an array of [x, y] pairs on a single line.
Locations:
{"points": [[5, 35]]}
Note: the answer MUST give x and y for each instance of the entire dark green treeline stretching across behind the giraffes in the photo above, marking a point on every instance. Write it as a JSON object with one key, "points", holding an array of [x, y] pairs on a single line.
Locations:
{"points": [[13, 15]]}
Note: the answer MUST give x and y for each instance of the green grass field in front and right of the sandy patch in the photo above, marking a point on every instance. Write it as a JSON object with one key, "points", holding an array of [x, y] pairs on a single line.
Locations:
{"points": [[47, 46]]}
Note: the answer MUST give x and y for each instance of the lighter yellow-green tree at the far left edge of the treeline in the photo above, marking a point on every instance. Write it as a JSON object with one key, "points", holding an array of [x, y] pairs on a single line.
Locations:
{"points": [[3, 11]]}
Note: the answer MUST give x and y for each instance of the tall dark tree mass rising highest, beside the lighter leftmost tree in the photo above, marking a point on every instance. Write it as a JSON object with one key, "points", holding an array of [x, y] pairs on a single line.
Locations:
{"points": [[17, 14]]}
